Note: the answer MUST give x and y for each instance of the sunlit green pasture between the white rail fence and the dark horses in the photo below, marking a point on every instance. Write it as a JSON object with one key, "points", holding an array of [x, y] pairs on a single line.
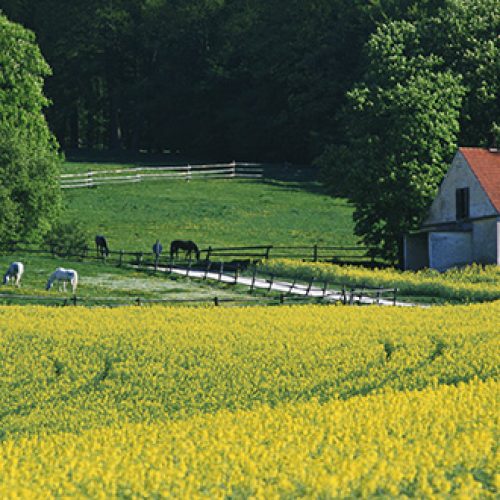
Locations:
{"points": [[288, 207]]}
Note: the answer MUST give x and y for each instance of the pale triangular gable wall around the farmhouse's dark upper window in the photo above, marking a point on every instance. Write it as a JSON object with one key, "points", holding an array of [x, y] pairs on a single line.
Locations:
{"points": [[459, 176]]}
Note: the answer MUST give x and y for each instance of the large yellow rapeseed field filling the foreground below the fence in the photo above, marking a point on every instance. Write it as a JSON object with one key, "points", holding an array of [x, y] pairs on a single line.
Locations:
{"points": [[263, 402]]}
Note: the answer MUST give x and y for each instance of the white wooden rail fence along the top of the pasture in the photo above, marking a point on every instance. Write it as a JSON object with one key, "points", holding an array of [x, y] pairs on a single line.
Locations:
{"points": [[94, 178]]}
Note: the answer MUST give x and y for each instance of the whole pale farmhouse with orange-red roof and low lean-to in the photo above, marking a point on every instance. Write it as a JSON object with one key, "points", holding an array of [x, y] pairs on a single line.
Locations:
{"points": [[463, 224]]}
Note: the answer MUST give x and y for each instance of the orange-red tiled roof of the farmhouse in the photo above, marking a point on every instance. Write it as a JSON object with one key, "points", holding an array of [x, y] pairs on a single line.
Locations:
{"points": [[485, 165]]}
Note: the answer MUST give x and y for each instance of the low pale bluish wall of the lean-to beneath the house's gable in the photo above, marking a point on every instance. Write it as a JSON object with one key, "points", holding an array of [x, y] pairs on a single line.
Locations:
{"points": [[449, 249]]}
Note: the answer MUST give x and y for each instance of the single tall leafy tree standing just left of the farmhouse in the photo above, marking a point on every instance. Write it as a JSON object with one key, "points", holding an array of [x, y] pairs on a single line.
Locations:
{"points": [[402, 125]]}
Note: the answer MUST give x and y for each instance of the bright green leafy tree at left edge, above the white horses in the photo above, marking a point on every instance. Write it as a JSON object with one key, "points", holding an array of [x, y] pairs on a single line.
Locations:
{"points": [[29, 161]]}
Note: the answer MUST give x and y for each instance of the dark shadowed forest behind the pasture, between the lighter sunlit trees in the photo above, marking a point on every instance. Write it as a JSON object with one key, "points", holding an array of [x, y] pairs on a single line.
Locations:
{"points": [[260, 78]]}
